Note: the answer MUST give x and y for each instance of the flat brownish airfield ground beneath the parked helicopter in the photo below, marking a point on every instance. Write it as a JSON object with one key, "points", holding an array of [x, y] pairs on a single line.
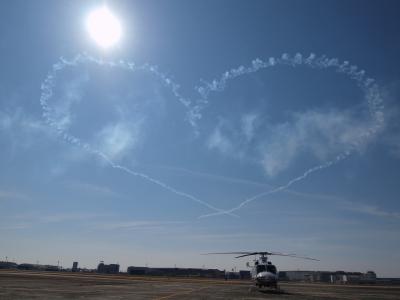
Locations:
{"points": [[44, 285]]}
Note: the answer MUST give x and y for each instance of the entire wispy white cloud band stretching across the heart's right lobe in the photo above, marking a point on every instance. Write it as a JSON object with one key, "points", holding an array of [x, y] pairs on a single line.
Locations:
{"points": [[275, 147]]}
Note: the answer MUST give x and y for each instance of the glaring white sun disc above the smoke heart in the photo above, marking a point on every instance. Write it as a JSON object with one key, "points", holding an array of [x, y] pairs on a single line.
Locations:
{"points": [[104, 27]]}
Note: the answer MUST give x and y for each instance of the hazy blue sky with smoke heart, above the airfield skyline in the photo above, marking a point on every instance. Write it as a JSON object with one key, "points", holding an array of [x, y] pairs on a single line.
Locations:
{"points": [[212, 126]]}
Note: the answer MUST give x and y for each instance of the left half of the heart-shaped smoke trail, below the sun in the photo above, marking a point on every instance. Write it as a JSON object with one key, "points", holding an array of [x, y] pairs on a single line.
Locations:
{"points": [[51, 116]]}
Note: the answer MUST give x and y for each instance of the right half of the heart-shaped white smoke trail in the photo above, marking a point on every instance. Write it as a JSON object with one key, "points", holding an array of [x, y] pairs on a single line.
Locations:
{"points": [[368, 86]]}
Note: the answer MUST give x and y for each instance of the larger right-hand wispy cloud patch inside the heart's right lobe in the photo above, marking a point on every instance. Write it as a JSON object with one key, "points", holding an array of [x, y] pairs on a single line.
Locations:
{"points": [[320, 133]]}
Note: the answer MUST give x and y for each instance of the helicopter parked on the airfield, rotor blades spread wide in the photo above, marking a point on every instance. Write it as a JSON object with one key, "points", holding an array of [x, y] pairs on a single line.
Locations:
{"points": [[263, 272]]}
